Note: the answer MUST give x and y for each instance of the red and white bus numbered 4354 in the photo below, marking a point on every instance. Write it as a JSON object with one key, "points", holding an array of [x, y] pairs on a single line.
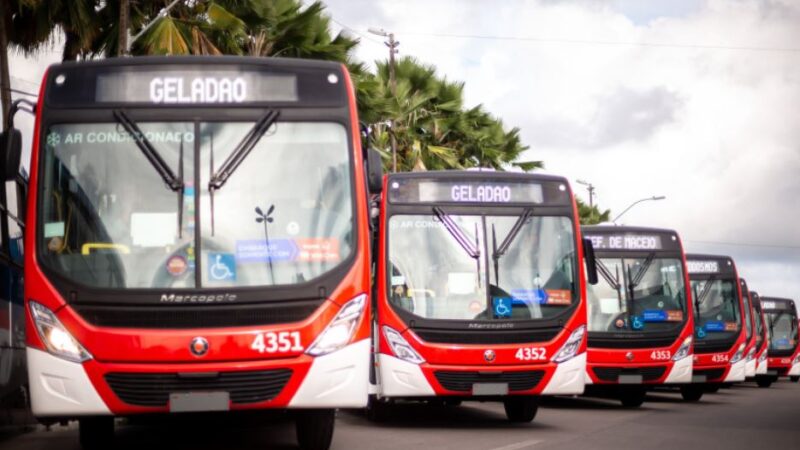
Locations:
{"points": [[719, 334]]}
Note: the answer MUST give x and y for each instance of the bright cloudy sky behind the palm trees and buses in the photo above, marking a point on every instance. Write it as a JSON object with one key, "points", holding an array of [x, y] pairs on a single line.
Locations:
{"points": [[695, 100]]}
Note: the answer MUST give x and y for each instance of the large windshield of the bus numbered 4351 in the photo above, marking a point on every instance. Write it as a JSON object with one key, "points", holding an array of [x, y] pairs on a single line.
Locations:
{"points": [[108, 219]]}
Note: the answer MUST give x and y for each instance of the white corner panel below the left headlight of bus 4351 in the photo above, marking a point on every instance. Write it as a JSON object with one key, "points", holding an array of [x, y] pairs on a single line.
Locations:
{"points": [[61, 388]]}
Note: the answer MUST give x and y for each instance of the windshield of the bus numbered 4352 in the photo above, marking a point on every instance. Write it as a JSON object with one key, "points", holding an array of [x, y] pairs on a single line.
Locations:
{"points": [[434, 276]]}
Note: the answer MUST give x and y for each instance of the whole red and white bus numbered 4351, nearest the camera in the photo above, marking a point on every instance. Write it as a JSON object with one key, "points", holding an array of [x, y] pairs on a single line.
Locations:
{"points": [[197, 240]]}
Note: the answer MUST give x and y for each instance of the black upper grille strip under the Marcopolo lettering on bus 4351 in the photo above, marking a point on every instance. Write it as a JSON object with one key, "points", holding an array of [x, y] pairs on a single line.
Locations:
{"points": [[186, 317]]}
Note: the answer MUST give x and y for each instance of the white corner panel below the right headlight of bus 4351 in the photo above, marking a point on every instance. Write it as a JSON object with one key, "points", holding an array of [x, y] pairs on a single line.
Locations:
{"points": [[336, 380]]}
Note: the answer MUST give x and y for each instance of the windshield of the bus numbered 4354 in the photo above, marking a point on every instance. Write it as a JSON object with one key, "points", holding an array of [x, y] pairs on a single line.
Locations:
{"points": [[716, 309]]}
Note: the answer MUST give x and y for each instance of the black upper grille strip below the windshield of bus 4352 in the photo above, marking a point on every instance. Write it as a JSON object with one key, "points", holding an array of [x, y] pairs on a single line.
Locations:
{"points": [[487, 336]]}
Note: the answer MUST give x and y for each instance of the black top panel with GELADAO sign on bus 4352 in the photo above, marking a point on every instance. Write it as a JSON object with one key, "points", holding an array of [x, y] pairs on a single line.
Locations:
{"points": [[478, 187]]}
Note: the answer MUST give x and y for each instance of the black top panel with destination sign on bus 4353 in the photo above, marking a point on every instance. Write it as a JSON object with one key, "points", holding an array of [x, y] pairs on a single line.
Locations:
{"points": [[610, 238]]}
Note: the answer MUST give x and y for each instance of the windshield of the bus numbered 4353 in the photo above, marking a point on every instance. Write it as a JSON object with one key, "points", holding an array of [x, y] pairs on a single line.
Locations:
{"points": [[637, 295]]}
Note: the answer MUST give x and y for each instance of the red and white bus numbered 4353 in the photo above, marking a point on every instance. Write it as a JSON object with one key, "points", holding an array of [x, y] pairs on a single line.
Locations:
{"points": [[639, 318]]}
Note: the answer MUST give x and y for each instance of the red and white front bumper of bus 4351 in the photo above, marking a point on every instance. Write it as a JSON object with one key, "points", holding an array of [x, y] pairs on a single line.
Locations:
{"points": [[65, 389]]}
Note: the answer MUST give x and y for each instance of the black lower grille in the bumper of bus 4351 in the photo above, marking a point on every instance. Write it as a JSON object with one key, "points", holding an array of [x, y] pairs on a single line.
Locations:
{"points": [[153, 389]]}
